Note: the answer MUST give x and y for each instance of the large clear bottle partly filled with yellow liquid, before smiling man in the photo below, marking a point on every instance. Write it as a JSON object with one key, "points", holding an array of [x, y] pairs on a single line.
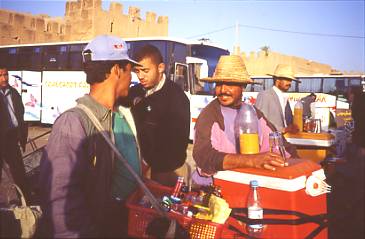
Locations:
{"points": [[246, 128]]}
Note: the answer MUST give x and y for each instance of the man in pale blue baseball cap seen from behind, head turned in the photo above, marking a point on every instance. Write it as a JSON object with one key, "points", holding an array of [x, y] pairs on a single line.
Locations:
{"points": [[79, 177]]}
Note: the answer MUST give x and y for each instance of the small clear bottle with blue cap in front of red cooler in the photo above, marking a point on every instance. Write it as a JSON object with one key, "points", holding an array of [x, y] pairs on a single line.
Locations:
{"points": [[254, 208]]}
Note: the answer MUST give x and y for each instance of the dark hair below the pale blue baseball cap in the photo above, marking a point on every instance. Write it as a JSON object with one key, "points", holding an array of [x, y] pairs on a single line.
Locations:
{"points": [[96, 70]]}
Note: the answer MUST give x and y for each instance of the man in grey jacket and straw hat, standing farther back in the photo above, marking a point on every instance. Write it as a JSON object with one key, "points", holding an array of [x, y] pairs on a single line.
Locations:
{"points": [[274, 104]]}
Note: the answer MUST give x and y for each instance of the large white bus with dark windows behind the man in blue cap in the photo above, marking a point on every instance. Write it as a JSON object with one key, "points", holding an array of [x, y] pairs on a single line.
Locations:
{"points": [[49, 76]]}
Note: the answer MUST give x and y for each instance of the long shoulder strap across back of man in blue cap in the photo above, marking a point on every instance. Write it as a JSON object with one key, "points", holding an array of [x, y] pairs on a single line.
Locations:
{"points": [[102, 131]]}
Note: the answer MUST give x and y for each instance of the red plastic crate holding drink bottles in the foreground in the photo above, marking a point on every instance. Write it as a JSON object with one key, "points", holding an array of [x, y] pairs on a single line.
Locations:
{"points": [[140, 217]]}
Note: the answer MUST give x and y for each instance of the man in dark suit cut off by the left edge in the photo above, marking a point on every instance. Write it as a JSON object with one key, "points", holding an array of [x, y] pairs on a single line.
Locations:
{"points": [[13, 131]]}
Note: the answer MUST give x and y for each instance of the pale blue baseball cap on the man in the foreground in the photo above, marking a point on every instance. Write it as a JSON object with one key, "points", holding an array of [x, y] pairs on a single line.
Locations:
{"points": [[107, 48]]}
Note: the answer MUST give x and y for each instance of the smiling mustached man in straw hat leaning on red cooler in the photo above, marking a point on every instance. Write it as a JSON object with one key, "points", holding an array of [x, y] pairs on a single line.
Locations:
{"points": [[214, 143]]}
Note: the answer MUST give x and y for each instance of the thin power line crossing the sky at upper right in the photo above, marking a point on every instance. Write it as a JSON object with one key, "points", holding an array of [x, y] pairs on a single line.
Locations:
{"points": [[280, 30]]}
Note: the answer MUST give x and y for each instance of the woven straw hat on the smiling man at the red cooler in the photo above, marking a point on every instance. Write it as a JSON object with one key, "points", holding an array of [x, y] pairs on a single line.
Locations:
{"points": [[230, 69]]}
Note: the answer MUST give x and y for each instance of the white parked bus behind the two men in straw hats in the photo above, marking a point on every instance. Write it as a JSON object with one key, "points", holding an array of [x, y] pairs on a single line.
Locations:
{"points": [[329, 89]]}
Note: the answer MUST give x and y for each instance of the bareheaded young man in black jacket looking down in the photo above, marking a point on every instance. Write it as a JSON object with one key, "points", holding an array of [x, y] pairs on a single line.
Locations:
{"points": [[162, 114]]}
